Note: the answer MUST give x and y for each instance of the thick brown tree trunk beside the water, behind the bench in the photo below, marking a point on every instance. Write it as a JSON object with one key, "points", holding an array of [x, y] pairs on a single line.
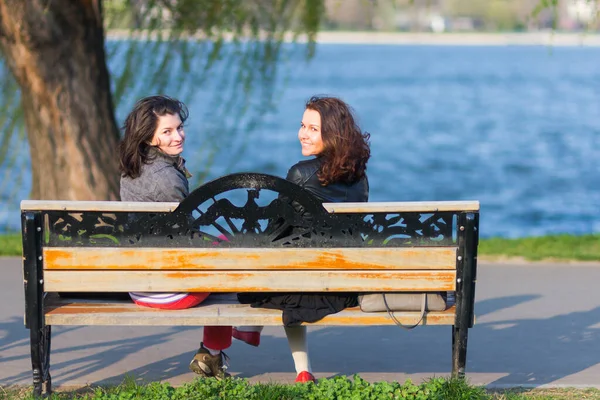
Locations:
{"points": [[55, 50]]}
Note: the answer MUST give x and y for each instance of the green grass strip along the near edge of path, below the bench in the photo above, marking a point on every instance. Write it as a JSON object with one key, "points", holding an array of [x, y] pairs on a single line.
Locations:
{"points": [[339, 387]]}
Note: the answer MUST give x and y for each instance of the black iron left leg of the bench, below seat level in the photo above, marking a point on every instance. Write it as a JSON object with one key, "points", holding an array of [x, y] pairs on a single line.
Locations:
{"points": [[40, 360]]}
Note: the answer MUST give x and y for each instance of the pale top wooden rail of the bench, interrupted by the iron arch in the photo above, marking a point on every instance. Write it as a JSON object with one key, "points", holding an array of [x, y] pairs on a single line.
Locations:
{"points": [[115, 206]]}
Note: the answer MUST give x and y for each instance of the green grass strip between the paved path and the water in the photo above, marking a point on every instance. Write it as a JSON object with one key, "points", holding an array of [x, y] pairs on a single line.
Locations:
{"points": [[554, 247]]}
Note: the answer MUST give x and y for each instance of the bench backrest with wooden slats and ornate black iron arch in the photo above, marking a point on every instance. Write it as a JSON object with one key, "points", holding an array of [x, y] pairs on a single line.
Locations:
{"points": [[223, 247]]}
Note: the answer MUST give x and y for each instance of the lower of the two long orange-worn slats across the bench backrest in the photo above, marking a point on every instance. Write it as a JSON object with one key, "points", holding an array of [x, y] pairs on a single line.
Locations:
{"points": [[248, 281]]}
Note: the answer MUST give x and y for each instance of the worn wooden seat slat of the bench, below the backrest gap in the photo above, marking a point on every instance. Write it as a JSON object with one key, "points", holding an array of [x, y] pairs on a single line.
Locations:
{"points": [[212, 312]]}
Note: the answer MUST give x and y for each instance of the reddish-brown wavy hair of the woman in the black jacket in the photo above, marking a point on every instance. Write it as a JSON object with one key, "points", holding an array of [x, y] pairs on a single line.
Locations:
{"points": [[345, 147]]}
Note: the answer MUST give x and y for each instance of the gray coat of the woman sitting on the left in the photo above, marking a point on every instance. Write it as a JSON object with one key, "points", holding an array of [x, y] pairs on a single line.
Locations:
{"points": [[162, 179]]}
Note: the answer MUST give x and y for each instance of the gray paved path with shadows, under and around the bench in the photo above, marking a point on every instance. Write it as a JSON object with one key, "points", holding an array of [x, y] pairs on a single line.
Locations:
{"points": [[537, 324]]}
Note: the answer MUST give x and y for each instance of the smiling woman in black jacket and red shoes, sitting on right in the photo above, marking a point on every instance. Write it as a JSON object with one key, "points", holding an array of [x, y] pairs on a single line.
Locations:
{"points": [[328, 132]]}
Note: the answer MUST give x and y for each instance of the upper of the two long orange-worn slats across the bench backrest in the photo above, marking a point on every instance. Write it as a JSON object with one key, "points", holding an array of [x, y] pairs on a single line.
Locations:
{"points": [[407, 258]]}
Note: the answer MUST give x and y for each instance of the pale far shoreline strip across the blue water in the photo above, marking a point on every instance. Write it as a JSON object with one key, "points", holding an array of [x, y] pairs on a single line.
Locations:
{"points": [[542, 38]]}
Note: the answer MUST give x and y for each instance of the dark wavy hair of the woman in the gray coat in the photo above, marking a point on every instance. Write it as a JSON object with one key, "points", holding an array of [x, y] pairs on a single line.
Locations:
{"points": [[139, 128]]}
